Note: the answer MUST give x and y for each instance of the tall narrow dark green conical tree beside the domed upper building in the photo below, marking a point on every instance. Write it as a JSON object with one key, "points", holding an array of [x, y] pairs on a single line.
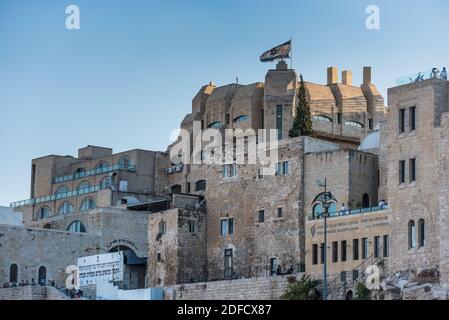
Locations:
{"points": [[302, 123]]}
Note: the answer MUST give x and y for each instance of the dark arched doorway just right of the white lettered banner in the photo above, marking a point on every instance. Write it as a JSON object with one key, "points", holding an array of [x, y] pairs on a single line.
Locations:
{"points": [[134, 268]]}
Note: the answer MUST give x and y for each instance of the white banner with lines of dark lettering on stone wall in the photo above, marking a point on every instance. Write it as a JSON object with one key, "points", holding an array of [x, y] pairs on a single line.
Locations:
{"points": [[102, 267]]}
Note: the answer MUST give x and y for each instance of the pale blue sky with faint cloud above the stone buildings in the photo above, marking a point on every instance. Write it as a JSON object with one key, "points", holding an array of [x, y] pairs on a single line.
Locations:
{"points": [[126, 78]]}
